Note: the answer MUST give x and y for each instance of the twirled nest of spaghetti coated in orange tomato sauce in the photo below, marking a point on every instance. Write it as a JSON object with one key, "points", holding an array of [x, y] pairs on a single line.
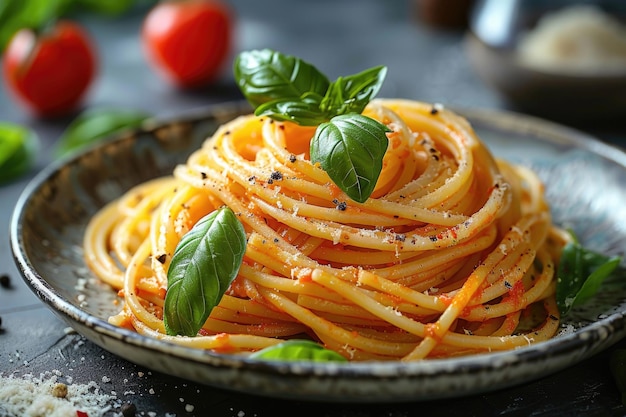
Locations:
{"points": [[454, 253]]}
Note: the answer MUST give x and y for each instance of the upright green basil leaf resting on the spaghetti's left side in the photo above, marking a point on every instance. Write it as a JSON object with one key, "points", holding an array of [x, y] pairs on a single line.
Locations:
{"points": [[205, 262]]}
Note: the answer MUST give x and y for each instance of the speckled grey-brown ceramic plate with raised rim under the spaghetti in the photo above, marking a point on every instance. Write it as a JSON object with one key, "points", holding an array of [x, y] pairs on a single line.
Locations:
{"points": [[584, 182]]}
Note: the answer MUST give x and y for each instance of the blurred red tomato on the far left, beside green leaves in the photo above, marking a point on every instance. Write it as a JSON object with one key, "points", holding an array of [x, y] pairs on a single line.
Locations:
{"points": [[50, 72]]}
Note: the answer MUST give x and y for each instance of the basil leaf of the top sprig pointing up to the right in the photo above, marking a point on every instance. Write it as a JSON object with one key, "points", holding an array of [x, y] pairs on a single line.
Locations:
{"points": [[351, 94]]}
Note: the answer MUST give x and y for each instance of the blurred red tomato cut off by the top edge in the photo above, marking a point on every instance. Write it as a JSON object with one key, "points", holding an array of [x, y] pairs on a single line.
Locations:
{"points": [[188, 41]]}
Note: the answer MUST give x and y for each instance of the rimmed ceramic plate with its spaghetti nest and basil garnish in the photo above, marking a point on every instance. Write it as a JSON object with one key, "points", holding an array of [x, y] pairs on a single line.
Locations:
{"points": [[423, 260]]}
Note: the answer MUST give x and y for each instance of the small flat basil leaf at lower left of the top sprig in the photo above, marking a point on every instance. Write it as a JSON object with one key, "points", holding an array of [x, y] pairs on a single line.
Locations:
{"points": [[301, 112]]}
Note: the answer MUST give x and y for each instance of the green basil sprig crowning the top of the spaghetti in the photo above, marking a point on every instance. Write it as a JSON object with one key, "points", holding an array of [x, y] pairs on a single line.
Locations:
{"points": [[349, 146]]}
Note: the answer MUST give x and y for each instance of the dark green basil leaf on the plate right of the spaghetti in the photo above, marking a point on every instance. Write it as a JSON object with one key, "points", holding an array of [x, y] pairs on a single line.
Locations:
{"points": [[580, 274]]}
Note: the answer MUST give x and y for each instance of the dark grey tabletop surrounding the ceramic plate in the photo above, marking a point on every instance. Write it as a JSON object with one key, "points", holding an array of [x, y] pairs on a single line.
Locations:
{"points": [[341, 37]]}
